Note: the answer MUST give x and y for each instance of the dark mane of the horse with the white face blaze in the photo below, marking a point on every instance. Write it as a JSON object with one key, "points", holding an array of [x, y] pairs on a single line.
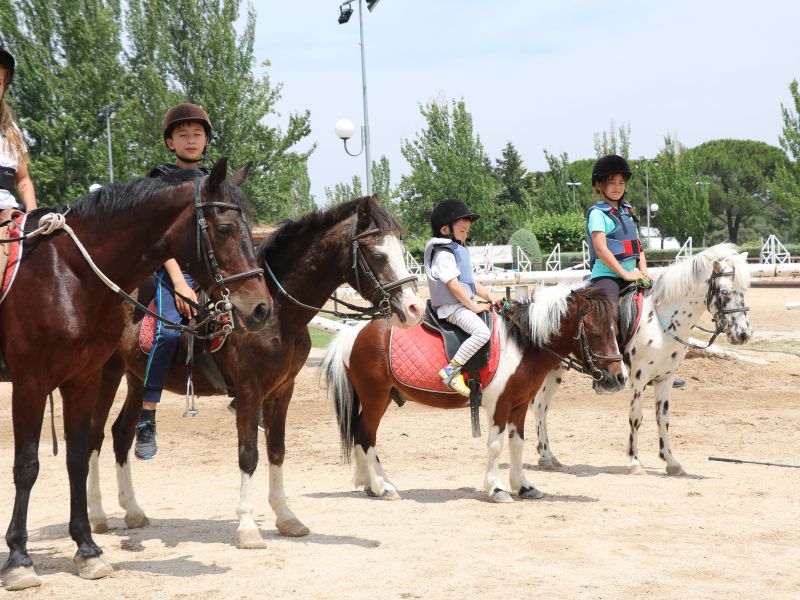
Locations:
{"points": [[317, 220]]}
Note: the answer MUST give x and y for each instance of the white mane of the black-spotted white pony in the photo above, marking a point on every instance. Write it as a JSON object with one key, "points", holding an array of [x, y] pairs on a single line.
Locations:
{"points": [[685, 278]]}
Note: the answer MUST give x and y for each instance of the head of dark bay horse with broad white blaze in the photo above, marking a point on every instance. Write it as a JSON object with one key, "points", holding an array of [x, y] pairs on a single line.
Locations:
{"points": [[379, 270]]}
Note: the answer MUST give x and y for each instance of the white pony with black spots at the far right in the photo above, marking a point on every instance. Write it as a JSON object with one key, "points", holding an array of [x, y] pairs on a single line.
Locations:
{"points": [[715, 281]]}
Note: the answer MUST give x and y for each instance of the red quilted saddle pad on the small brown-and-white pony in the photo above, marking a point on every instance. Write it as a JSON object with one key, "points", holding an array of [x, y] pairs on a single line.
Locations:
{"points": [[416, 355]]}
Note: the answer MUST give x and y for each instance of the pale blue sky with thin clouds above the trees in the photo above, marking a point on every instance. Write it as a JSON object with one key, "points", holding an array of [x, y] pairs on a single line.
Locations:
{"points": [[543, 75]]}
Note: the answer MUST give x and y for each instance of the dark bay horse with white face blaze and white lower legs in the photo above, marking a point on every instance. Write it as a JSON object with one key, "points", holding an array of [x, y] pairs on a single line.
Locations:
{"points": [[310, 258]]}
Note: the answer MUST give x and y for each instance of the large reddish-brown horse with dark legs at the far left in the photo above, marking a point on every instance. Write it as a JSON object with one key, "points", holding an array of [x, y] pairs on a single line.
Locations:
{"points": [[60, 322]]}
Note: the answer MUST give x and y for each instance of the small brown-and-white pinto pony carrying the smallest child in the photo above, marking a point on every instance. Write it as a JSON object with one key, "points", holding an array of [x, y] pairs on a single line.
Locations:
{"points": [[534, 337]]}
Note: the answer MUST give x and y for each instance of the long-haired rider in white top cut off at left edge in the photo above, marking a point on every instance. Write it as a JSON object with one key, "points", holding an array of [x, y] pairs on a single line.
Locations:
{"points": [[13, 152]]}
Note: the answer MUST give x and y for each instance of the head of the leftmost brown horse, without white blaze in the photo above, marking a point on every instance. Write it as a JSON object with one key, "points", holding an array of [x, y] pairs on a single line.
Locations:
{"points": [[225, 263]]}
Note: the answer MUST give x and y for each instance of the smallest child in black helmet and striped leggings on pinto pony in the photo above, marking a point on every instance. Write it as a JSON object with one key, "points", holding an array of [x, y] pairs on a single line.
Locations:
{"points": [[452, 287]]}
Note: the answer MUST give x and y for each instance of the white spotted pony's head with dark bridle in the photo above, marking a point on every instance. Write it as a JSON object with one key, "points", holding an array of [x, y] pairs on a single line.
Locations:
{"points": [[727, 285]]}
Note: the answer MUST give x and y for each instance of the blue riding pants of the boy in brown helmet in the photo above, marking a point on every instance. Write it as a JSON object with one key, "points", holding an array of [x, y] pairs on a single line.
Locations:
{"points": [[165, 343]]}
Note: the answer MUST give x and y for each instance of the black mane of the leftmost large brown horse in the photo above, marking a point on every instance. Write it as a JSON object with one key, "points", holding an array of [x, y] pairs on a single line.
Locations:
{"points": [[117, 197]]}
